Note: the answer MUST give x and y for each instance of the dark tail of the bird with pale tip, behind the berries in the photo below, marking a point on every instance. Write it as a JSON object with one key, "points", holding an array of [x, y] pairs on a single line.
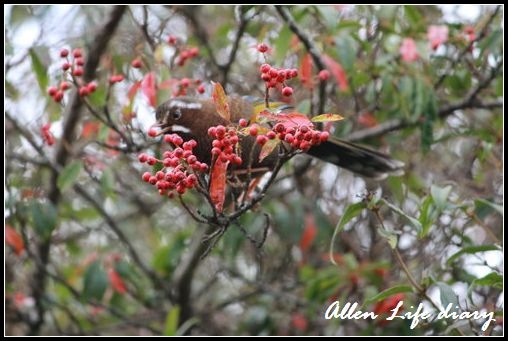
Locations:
{"points": [[358, 159]]}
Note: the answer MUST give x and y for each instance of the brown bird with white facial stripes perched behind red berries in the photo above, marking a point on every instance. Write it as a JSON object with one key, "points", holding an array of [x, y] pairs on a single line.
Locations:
{"points": [[191, 118]]}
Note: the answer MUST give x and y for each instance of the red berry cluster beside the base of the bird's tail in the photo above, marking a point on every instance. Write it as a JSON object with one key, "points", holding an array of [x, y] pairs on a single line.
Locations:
{"points": [[300, 137]]}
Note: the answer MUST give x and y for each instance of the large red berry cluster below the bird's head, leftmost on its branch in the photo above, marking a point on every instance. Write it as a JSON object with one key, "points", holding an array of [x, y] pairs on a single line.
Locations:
{"points": [[179, 167]]}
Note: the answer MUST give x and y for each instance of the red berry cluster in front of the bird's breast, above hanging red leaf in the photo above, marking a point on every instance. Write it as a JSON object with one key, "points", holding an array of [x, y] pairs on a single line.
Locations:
{"points": [[224, 144]]}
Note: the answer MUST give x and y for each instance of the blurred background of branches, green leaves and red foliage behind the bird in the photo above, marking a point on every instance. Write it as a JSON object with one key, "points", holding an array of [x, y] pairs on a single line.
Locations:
{"points": [[91, 249]]}
